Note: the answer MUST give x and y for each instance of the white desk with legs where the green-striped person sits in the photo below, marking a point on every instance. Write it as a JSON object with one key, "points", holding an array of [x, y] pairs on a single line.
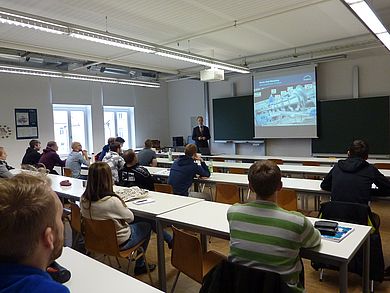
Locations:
{"points": [[213, 221]]}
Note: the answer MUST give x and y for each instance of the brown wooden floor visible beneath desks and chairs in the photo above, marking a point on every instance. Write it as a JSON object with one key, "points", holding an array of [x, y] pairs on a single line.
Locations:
{"points": [[312, 283]]}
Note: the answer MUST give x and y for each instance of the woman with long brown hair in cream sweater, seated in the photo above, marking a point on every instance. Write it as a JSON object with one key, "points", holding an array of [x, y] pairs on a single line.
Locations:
{"points": [[99, 202]]}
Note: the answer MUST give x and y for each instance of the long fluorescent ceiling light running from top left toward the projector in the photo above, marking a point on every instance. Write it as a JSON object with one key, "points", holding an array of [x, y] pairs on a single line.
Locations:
{"points": [[51, 26]]}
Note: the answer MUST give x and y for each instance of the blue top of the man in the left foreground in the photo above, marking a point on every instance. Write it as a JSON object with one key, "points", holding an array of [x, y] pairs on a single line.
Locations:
{"points": [[20, 278]]}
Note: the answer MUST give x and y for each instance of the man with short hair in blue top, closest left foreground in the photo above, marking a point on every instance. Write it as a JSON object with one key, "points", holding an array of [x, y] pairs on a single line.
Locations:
{"points": [[31, 232]]}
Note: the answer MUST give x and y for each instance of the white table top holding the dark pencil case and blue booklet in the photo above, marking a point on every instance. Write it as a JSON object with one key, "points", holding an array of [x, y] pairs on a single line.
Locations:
{"points": [[214, 221]]}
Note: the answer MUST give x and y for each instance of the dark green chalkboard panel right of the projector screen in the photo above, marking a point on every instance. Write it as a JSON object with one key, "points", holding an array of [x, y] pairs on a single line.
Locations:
{"points": [[342, 121]]}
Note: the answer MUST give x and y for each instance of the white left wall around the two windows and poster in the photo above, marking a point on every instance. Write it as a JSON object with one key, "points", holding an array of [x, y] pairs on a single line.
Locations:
{"points": [[151, 108]]}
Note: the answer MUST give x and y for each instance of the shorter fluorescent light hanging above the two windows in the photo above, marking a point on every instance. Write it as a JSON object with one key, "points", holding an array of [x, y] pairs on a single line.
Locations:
{"points": [[57, 74]]}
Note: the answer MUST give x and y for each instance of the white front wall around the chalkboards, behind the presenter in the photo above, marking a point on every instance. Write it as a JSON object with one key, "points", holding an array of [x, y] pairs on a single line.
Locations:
{"points": [[334, 82]]}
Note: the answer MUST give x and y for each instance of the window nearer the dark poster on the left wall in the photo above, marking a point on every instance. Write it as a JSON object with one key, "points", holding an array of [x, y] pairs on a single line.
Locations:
{"points": [[71, 123]]}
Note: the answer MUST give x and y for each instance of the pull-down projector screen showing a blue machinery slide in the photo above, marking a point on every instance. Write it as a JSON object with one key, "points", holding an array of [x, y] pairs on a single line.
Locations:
{"points": [[285, 103]]}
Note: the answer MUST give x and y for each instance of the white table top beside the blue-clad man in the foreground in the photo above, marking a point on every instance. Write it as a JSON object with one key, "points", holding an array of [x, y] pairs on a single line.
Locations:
{"points": [[89, 275]]}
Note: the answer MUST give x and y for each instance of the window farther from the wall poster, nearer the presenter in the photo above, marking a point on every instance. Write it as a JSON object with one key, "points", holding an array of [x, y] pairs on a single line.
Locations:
{"points": [[119, 121]]}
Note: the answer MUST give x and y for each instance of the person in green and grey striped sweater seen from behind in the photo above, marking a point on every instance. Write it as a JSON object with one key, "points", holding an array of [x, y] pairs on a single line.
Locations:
{"points": [[265, 236]]}
